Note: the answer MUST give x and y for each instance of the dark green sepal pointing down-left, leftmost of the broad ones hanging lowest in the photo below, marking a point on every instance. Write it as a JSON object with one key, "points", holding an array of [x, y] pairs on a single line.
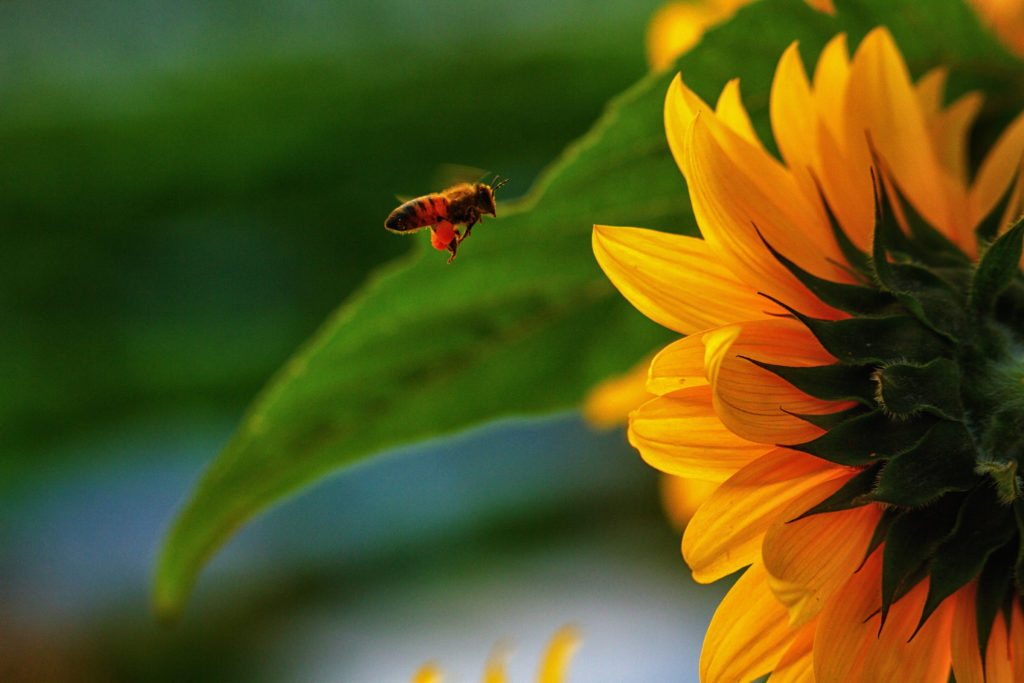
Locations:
{"points": [[911, 541]]}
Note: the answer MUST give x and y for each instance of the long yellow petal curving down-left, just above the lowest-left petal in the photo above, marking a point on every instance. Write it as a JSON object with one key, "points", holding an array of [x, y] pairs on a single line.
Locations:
{"points": [[728, 531]]}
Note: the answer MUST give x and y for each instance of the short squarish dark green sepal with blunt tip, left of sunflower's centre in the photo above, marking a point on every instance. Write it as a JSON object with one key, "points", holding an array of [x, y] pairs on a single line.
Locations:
{"points": [[906, 390]]}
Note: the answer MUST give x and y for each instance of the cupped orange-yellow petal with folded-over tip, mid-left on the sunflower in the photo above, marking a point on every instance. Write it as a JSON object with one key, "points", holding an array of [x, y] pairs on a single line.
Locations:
{"points": [[753, 402]]}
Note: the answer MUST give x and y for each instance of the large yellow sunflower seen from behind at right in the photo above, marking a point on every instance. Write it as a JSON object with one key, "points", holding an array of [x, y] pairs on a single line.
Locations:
{"points": [[852, 375]]}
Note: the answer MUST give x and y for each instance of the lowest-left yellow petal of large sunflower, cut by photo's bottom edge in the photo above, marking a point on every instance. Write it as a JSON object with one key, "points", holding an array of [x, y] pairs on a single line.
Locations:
{"points": [[748, 634]]}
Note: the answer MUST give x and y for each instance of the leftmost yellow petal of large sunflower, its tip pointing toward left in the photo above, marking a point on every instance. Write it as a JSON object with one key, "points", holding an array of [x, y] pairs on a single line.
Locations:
{"points": [[674, 280]]}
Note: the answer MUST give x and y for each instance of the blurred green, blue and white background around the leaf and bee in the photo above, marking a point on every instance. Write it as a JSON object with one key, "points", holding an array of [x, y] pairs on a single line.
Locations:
{"points": [[187, 191]]}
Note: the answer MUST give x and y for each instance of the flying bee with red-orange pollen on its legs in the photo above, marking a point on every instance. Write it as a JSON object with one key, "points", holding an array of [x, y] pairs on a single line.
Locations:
{"points": [[464, 204]]}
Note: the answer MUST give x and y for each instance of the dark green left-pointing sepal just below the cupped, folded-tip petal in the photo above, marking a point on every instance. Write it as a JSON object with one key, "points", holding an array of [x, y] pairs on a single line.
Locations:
{"points": [[868, 439]]}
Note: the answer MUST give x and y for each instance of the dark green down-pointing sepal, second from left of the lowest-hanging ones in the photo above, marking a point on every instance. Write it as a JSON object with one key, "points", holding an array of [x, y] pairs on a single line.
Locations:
{"points": [[983, 527]]}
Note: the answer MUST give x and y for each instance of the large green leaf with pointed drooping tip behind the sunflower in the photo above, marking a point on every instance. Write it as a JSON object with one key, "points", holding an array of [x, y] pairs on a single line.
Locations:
{"points": [[523, 322]]}
